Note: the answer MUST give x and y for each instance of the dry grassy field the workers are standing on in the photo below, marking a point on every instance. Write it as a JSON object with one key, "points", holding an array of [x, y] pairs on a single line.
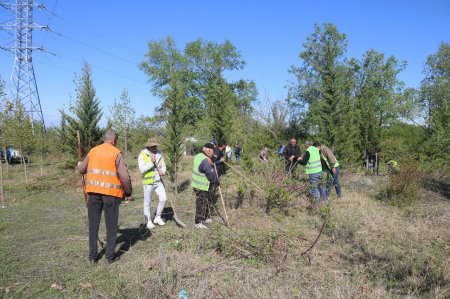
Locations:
{"points": [[277, 246]]}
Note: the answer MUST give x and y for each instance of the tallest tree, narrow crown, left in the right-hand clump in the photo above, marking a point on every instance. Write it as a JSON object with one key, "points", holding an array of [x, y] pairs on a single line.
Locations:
{"points": [[322, 84]]}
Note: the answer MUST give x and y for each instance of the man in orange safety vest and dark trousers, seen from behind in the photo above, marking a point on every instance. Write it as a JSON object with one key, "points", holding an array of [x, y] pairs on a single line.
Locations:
{"points": [[107, 182]]}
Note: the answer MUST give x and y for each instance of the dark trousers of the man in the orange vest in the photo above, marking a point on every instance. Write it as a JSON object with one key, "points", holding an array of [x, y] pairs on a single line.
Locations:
{"points": [[96, 204]]}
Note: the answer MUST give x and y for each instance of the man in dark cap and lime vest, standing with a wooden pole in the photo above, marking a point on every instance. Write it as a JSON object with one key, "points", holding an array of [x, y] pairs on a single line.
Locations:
{"points": [[204, 182]]}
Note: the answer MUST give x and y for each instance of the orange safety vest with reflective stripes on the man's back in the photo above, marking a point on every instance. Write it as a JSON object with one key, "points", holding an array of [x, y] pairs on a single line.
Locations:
{"points": [[102, 176]]}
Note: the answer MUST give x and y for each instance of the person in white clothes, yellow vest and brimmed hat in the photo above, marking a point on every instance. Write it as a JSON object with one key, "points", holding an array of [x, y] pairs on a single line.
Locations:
{"points": [[152, 167]]}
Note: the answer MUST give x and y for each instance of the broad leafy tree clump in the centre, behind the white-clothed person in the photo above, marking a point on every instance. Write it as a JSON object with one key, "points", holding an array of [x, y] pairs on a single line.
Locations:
{"points": [[209, 102]]}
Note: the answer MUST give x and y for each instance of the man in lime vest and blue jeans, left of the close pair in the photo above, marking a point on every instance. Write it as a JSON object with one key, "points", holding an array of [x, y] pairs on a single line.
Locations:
{"points": [[311, 159]]}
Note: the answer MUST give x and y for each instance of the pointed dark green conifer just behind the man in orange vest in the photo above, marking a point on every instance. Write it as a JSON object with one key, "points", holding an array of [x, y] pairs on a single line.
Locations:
{"points": [[86, 116]]}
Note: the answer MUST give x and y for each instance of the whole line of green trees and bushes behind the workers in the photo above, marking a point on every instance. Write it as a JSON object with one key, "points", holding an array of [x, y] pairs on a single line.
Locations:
{"points": [[350, 104]]}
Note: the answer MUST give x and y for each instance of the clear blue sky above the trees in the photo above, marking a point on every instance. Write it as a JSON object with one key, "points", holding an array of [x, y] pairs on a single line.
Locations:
{"points": [[112, 37]]}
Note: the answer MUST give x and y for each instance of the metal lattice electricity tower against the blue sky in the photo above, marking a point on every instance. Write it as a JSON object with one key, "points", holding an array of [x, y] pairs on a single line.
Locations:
{"points": [[22, 84]]}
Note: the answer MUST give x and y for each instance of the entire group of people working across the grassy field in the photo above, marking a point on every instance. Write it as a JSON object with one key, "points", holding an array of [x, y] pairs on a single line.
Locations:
{"points": [[108, 182]]}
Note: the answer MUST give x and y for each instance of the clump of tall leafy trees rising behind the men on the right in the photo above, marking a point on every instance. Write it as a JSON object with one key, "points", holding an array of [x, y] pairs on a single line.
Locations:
{"points": [[345, 103]]}
